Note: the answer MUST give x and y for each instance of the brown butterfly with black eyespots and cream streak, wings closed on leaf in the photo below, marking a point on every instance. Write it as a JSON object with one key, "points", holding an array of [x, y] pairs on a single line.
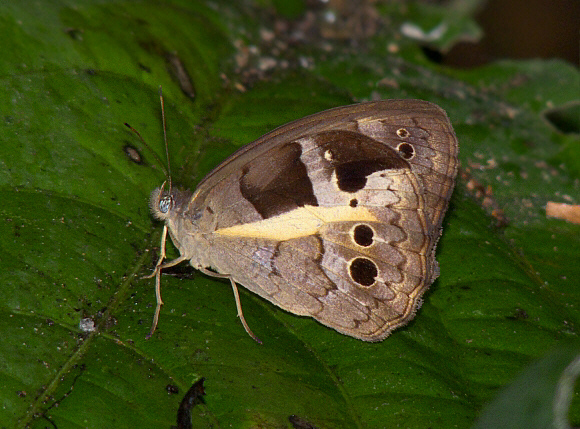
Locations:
{"points": [[335, 216]]}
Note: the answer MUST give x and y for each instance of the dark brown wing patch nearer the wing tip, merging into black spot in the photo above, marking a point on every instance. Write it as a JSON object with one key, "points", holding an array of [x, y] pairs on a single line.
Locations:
{"points": [[355, 156]]}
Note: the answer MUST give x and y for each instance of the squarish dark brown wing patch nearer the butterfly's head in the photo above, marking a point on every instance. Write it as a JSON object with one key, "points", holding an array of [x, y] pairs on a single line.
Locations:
{"points": [[277, 181]]}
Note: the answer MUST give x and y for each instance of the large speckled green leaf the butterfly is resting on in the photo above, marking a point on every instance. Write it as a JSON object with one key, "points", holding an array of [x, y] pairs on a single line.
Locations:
{"points": [[77, 235]]}
